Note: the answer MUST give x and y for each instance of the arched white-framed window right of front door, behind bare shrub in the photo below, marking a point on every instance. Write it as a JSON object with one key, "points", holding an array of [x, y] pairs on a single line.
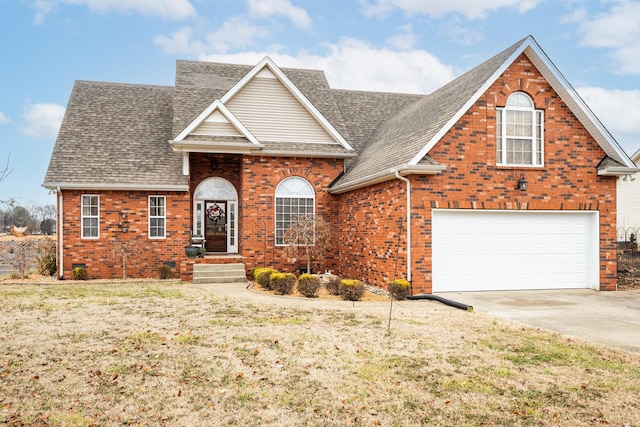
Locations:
{"points": [[294, 198]]}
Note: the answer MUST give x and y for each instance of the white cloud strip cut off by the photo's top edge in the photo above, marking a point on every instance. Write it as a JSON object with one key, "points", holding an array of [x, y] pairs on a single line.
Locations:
{"points": [[472, 9]]}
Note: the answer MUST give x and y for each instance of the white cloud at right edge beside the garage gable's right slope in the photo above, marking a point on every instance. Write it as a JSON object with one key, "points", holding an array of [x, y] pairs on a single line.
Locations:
{"points": [[619, 111]]}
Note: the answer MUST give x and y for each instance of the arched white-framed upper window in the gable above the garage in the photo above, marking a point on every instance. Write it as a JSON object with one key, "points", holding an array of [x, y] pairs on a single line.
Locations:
{"points": [[520, 132]]}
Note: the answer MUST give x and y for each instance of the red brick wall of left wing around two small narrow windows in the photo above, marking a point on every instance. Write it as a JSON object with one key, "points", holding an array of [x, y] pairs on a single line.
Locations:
{"points": [[124, 227]]}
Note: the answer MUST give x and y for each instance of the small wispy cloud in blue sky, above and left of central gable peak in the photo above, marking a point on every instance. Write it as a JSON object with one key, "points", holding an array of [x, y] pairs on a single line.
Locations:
{"points": [[235, 33]]}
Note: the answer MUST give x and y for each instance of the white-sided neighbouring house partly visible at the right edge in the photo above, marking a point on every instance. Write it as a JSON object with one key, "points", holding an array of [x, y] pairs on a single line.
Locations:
{"points": [[628, 204]]}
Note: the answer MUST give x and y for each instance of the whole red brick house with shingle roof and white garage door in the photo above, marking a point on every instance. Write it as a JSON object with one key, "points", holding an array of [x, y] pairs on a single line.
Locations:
{"points": [[502, 179]]}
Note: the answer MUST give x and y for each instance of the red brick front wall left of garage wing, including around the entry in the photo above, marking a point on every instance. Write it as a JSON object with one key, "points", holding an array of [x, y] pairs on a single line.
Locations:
{"points": [[255, 180]]}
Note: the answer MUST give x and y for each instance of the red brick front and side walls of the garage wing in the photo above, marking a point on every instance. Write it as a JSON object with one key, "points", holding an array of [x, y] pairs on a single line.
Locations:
{"points": [[373, 217]]}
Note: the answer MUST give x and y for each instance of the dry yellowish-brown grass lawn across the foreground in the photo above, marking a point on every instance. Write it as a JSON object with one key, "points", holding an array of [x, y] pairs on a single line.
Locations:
{"points": [[162, 353]]}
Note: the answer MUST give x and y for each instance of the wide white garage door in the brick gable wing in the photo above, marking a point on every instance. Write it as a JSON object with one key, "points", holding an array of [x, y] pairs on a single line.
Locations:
{"points": [[506, 250]]}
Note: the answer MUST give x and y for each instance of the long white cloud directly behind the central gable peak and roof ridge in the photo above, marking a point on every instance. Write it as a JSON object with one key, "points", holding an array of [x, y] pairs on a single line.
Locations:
{"points": [[353, 64]]}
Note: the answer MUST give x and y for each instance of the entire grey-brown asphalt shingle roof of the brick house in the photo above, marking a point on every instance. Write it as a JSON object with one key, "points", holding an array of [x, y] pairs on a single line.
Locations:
{"points": [[118, 134]]}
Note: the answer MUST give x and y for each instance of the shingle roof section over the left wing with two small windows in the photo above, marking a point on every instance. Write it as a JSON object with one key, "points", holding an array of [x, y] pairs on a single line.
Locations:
{"points": [[116, 134]]}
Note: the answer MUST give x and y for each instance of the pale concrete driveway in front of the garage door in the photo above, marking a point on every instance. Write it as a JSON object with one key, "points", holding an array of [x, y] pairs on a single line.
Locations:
{"points": [[609, 318]]}
